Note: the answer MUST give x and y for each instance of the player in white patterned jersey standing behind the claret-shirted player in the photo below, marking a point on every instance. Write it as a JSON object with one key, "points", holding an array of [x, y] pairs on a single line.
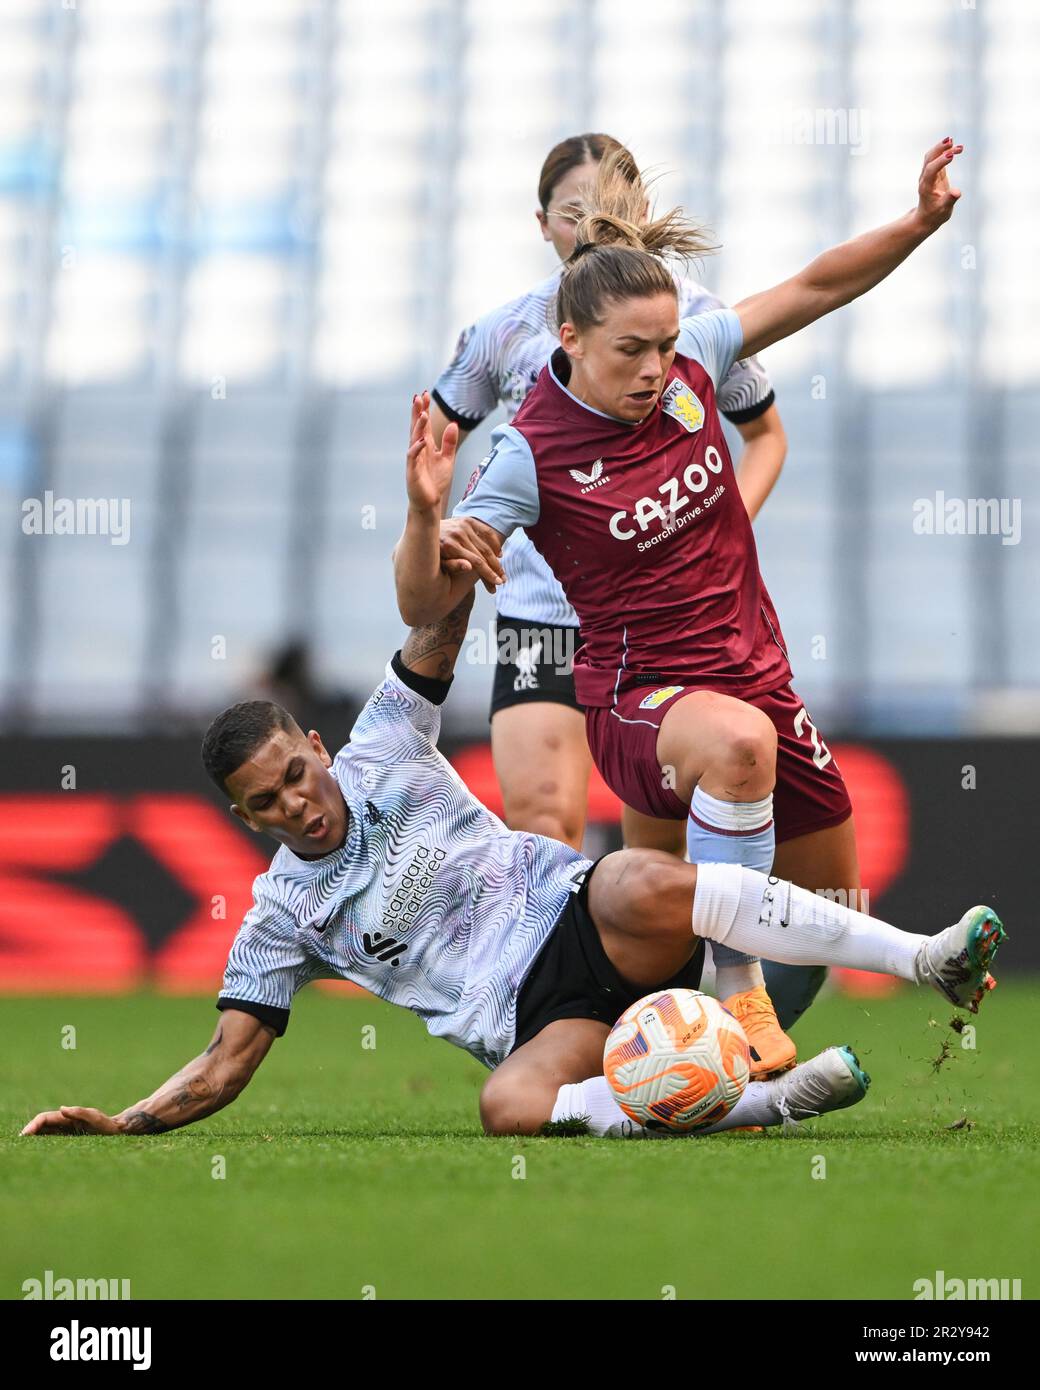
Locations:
{"points": [[536, 719]]}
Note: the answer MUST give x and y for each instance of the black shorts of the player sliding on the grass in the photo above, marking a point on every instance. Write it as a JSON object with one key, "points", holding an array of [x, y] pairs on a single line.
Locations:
{"points": [[572, 976]]}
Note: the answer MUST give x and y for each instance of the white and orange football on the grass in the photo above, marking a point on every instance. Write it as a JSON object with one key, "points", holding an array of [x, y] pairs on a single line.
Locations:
{"points": [[676, 1061]]}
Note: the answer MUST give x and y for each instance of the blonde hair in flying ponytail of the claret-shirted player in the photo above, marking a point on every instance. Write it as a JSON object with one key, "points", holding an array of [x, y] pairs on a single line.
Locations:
{"points": [[621, 245]]}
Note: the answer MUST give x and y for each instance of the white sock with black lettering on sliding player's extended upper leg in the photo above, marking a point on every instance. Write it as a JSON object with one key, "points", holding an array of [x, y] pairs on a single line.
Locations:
{"points": [[775, 919]]}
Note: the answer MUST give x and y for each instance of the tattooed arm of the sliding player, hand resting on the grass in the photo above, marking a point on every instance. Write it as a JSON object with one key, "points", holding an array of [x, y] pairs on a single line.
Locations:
{"points": [[200, 1089]]}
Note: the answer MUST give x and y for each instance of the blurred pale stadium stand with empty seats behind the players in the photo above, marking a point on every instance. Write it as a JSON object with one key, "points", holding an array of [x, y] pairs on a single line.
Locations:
{"points": [[236, 237]]}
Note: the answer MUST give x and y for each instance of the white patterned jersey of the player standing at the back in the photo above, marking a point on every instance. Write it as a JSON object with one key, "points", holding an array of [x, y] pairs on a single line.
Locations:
{"points": [[497, 362]]}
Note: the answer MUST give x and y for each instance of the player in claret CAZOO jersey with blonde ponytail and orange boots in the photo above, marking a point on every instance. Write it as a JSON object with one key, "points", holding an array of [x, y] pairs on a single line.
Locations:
{"points": [[683, 672]]}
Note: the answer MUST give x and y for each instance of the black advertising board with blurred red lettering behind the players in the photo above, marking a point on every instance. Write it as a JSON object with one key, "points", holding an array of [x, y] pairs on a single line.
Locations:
{"points": [[123, 885]]}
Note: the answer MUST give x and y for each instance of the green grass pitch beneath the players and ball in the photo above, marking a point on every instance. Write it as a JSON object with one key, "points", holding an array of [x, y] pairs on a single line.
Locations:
{"points": [[352, 1170]]}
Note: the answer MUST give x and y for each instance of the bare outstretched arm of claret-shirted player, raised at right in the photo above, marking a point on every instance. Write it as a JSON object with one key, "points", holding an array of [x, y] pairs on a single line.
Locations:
{"points": [[847, 272]]}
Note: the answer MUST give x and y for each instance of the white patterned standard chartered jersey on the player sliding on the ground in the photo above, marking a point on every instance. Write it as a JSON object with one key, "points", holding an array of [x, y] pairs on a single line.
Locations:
{"points": [[432, 903]]}
